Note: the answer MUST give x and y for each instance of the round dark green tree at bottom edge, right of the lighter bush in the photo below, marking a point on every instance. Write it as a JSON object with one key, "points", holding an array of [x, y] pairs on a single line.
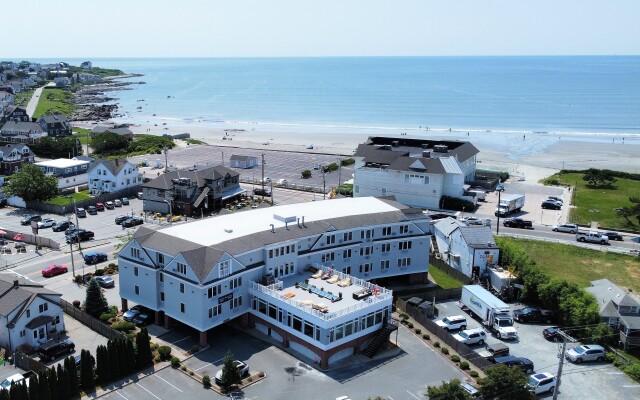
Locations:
{"points": [[504, 383]]}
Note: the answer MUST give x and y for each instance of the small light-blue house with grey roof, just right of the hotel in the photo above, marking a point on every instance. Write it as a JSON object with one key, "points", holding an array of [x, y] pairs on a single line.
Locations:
{"points": [[469, 249]]}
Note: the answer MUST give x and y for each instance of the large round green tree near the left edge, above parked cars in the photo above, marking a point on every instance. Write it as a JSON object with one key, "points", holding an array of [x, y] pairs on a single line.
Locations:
{"points": [[31, 184]]}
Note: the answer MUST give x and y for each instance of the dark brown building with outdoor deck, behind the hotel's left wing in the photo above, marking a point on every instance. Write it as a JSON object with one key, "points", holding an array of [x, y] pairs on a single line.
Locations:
{"points": [[186, 192]]}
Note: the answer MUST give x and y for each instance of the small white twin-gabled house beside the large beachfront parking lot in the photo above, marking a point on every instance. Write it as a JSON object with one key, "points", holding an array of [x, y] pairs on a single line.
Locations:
{"points": [[108, 176]]}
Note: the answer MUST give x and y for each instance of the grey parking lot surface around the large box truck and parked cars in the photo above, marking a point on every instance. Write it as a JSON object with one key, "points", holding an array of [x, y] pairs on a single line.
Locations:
{"points": [[579, 381]]}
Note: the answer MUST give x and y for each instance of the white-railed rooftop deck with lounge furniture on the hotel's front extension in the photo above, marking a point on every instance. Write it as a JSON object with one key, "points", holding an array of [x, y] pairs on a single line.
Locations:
{"points": [[326, 299]]}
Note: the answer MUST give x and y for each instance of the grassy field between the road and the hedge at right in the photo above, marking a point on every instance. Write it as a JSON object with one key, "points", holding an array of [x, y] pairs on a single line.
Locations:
{"points": [[580, 265]]}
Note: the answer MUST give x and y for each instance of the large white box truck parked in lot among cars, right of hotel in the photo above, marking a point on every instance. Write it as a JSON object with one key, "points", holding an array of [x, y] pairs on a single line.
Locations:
{"points": [[493, 312]]}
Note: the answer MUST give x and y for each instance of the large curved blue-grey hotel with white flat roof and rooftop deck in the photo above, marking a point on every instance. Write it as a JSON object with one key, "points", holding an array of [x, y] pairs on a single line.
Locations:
{"points": [[258, 265]]}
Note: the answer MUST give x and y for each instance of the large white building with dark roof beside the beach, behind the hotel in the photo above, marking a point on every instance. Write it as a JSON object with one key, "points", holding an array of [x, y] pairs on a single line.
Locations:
{"points": [[417, 172]]}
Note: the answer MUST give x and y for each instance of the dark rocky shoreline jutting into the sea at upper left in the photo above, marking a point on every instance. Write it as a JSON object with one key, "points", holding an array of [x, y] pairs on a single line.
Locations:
{"points": [[90, 99]]}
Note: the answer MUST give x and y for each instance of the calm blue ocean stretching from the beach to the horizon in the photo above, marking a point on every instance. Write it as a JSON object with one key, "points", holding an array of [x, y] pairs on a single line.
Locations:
{"points": [[597, 95]]}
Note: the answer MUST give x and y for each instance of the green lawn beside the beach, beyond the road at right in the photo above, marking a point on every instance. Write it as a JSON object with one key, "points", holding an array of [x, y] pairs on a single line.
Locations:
{"points": [[599, 204]]}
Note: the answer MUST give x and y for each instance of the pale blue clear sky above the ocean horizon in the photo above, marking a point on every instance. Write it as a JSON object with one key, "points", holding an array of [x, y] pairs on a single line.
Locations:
{"points": [[258, 28]]}
